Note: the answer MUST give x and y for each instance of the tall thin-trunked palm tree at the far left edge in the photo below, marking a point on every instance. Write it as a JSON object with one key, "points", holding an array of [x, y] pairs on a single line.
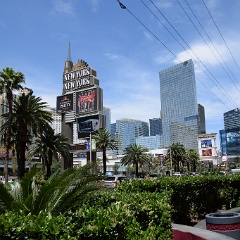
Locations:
{"points": [[9, 82]]}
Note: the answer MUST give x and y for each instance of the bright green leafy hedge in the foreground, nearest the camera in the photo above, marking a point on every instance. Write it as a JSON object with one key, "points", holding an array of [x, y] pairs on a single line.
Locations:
{"points": [[112, 215]]}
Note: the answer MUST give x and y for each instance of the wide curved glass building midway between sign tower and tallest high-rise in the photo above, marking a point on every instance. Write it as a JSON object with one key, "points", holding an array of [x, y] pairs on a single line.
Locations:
{"points": [[127, 130]]}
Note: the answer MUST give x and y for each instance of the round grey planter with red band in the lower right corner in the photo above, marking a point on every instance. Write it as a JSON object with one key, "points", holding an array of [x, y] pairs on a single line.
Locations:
{"points": [[226, 223]]}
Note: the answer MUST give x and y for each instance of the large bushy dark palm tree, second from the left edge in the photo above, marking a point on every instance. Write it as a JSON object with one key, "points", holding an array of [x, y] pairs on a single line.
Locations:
{"points": [[29, 118]]}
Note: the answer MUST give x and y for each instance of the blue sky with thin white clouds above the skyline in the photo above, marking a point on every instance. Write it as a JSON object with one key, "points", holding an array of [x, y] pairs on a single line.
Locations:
{"points": [[128, 48]]}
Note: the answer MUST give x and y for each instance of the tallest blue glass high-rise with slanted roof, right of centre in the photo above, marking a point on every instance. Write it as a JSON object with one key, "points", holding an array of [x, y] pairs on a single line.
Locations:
{"points": [[179, 108]]}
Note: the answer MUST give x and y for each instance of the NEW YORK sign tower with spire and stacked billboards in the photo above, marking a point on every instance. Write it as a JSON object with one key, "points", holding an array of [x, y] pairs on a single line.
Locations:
{"points": [[81, 102]]}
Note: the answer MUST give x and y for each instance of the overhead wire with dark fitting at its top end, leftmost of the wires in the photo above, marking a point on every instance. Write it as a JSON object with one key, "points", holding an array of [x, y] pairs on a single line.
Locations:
{"points": [[124, 7]]}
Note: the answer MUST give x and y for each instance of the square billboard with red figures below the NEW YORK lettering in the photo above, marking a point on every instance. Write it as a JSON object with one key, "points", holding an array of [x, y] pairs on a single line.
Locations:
{"points": [[87, 101]]}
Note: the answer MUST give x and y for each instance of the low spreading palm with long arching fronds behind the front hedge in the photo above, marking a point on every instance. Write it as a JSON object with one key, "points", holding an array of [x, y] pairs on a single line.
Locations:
{"points": [[62, 192]]}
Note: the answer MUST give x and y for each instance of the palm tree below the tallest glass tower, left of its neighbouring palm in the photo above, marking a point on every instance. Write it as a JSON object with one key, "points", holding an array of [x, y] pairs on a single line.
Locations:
{"points": [[176, 153]]}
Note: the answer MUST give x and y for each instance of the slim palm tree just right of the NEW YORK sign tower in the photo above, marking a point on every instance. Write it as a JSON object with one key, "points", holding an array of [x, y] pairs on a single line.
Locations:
{"points": [[103, 141]]}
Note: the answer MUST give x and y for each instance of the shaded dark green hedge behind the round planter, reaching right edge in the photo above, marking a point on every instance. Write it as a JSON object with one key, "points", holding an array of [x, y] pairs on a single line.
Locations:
{"points": [[192, 197]]}
